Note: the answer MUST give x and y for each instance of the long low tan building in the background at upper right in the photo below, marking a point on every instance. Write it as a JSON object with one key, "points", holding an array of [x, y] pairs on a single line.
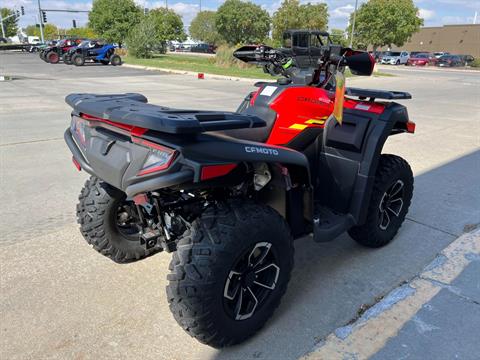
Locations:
{"points": [[456, 39]]}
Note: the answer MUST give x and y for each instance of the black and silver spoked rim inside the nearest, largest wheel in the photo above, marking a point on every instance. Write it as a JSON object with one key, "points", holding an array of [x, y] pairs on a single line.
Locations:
{"points": [[251, 281]]}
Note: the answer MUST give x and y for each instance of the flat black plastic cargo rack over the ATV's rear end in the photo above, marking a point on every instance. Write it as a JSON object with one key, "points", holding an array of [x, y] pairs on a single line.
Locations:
{"points": [[133, 109]]}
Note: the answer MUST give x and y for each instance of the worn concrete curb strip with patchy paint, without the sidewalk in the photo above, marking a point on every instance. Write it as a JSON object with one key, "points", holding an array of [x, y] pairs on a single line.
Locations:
{"points": [[369, 334]]}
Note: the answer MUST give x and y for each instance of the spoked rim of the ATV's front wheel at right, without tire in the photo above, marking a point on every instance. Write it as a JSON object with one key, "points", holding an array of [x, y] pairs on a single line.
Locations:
{"points": [[391, 204]]}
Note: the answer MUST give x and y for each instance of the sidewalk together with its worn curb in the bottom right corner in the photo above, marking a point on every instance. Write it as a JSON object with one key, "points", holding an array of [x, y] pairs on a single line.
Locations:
{"points": [[434, 316]]}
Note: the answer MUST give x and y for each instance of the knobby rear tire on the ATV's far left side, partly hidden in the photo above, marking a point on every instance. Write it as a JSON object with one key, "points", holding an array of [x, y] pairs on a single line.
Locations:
{"points": [[98, 213]]}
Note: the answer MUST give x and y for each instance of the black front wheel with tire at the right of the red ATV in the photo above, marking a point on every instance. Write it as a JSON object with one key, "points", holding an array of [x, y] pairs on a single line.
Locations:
{"points": [[391, 197]]}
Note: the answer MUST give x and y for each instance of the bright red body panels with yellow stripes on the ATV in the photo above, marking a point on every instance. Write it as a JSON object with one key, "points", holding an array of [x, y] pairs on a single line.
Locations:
{"points": [[299, 108]]}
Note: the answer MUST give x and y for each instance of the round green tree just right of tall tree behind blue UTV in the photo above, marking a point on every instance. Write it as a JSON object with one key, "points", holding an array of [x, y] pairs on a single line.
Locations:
{"points": [[168, 25]]}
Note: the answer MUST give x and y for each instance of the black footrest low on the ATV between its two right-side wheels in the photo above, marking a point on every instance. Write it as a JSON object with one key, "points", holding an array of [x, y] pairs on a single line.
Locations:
{"points": [[327, 225]]}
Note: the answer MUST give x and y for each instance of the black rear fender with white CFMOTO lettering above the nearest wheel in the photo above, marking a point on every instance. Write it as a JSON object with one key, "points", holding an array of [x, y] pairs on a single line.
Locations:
{"points": [[289, 190]]}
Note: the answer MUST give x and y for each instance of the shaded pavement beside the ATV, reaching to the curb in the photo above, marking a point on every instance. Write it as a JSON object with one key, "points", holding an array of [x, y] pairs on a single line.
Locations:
{"points": [[331, 281]]}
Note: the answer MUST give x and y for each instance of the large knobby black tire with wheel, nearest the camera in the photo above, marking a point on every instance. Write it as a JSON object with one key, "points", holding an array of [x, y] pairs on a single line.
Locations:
{"points": [[230, 271]]}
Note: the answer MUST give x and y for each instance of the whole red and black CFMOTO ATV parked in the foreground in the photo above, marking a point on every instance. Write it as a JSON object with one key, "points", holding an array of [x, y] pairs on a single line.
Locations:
{"points": [[228, 192]]}
